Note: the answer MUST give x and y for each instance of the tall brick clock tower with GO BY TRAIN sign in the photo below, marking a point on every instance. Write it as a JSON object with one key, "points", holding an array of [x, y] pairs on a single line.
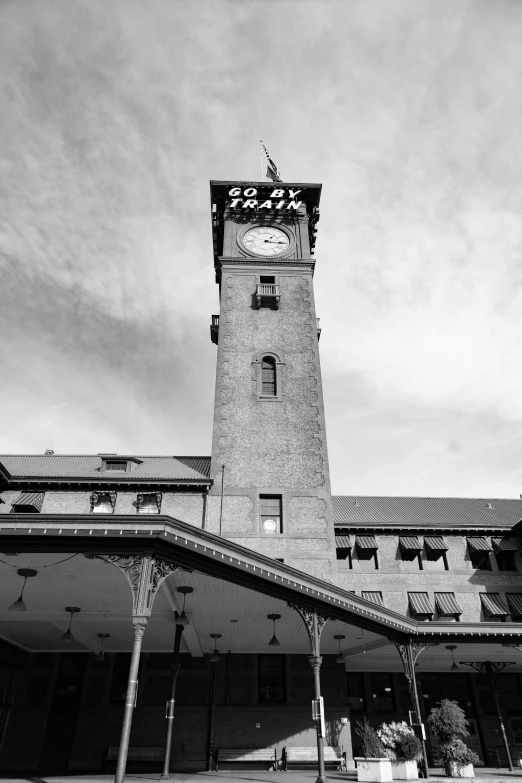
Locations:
{"points": [[270, 469]]}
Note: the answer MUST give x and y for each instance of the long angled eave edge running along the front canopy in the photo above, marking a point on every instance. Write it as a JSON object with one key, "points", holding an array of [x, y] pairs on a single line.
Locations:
{"points": [[196, 549]]}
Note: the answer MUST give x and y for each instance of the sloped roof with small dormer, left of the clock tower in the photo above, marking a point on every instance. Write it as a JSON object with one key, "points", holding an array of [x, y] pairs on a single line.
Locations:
{"points": [[81, 466]]}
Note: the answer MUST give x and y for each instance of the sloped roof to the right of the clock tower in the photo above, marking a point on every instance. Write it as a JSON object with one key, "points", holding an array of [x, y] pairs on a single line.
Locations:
{"points": [[367, 512]]}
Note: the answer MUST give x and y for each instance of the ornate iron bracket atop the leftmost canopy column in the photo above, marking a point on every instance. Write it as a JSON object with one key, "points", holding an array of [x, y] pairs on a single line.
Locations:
{"points": [[144, 573]]}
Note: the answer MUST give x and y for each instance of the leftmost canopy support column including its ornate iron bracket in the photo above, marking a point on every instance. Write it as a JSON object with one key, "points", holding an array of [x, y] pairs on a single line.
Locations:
{"points": [[144, 573]]}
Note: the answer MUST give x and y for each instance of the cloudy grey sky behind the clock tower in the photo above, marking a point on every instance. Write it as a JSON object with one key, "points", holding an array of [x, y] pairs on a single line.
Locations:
{"points": [[113, 119]]}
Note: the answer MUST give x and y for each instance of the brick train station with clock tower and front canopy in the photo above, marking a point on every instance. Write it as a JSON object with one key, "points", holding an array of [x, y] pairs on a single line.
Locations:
{"points": [[244, 564]]}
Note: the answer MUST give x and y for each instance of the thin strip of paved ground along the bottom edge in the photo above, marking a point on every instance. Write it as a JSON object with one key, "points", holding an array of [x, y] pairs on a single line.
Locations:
{"points": [[483, 775]]}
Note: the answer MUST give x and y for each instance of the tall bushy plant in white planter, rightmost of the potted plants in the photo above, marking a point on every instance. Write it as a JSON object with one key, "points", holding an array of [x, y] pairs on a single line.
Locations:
{"points": [[449, 724]]}
